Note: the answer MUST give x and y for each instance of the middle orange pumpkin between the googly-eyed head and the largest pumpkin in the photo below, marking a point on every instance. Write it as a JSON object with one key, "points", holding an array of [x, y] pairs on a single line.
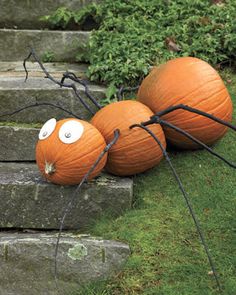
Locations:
{"points": [[135, 150]]}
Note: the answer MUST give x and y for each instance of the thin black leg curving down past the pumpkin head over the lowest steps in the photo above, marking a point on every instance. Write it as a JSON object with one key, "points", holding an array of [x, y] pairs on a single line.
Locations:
{"points": [[75, 195]]}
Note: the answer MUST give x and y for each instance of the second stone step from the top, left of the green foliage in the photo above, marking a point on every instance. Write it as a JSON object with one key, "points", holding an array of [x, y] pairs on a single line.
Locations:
{"points": [[53, 45]]}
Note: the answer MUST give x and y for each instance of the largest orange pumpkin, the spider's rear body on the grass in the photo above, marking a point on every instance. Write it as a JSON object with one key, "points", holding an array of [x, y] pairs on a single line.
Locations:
{"points": [[192, 82]]}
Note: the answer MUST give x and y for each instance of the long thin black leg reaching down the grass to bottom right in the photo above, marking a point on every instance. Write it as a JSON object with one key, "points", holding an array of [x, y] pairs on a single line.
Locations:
{"points": [[196, 222]]}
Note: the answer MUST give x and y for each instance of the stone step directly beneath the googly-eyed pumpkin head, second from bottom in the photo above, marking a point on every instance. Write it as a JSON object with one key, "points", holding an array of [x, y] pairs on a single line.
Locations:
{"points": [[27, 201]]}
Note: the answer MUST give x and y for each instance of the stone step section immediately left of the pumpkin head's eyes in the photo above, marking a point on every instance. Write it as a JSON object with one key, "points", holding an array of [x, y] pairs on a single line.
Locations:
{"points": [[18, 144]]}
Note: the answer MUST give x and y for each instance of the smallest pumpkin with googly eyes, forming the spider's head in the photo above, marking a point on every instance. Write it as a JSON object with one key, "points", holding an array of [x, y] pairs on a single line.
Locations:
{"points": [[67, 149]]}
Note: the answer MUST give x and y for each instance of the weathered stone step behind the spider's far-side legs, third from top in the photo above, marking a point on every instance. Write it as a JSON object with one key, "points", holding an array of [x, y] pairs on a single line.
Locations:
{"points": [[16, 93]]}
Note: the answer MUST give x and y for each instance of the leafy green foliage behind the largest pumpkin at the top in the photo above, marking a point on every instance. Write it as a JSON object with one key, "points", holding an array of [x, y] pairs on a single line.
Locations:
{"points": [[135, 35]]}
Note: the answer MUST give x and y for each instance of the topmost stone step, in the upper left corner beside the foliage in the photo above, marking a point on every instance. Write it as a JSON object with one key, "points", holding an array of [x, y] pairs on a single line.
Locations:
{"points": [[26, 14]]}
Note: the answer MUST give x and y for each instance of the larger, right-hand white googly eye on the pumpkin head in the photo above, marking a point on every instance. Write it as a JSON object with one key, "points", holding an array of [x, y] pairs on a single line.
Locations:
{"points": [[71, 131]]}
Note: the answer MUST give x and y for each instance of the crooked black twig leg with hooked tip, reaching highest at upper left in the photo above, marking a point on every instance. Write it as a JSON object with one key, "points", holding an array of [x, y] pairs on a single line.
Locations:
{"points": [[49, 76]]}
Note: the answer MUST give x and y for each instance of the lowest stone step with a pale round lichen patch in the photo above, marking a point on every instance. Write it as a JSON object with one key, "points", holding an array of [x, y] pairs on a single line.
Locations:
{"points": [[27, 262]]}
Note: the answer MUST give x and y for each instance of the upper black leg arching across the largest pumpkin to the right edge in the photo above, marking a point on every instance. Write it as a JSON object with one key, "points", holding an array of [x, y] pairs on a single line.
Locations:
{"points": [[189, 109]]}
